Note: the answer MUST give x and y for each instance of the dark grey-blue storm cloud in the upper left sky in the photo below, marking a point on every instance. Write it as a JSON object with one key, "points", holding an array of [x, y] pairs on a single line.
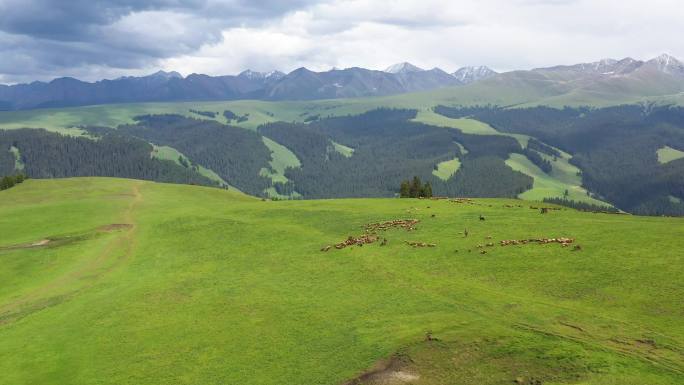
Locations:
{"points": [[48, 38]]}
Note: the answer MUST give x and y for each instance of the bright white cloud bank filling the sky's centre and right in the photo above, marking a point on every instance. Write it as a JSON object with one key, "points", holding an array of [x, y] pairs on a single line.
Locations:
{"points": [[501, 33]]}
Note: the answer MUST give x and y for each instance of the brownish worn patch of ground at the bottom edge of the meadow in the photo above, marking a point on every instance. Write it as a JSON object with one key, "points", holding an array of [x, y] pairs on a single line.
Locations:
{"points": [[476, 362]]}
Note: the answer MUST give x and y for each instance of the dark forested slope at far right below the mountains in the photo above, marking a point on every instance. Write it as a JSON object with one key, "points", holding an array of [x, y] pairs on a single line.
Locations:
{"points": [[616, 148]]}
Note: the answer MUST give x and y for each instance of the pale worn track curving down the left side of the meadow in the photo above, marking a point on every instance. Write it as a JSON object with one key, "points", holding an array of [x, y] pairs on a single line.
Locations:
{"points": [[118, 250]]}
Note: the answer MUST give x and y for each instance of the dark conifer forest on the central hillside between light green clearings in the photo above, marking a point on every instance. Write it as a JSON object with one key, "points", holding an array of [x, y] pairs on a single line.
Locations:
{"points": [[388, 148]]}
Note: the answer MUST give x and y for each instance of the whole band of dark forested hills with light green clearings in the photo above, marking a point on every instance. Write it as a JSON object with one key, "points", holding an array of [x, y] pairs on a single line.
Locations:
{"points": [[590, 155]]}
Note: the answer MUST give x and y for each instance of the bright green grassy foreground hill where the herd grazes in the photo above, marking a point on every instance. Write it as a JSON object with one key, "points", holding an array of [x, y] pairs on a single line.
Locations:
{"points": [[114, 281]]}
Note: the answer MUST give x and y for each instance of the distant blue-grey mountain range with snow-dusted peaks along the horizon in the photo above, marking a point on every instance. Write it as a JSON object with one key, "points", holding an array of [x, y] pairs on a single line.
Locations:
{"points": [[663, 75]]}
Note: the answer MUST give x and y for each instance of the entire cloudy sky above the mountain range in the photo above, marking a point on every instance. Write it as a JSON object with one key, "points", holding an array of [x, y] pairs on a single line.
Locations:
{"points": [[94, 39]]}
